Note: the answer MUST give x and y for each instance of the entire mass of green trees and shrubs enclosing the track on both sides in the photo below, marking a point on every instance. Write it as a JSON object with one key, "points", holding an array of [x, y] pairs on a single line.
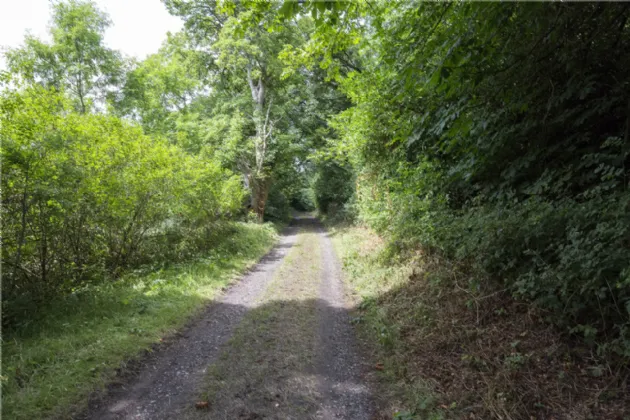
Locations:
{"points": [[494, 134]]}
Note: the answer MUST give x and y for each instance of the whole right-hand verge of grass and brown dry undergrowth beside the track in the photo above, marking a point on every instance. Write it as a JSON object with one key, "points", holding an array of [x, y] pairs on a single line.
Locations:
{"points": [[449, 344]]}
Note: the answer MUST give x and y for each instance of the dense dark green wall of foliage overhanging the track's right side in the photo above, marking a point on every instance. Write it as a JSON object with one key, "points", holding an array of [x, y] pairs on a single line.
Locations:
{"points": [[498, 135]]}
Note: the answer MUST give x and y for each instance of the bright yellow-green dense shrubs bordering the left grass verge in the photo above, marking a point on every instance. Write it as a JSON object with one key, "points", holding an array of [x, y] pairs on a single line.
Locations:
{"points": [[86, 196]]}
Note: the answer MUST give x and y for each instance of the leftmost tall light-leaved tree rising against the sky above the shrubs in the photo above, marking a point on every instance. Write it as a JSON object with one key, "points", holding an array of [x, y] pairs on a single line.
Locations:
{"points": [[76, 61]]}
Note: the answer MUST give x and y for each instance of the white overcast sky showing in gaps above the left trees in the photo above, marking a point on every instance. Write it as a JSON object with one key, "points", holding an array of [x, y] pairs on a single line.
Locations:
{"points": [[138, 26]]}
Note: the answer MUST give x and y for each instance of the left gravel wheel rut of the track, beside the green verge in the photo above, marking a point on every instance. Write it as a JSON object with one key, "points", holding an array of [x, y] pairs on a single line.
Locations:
{"points": [[169, 382]]}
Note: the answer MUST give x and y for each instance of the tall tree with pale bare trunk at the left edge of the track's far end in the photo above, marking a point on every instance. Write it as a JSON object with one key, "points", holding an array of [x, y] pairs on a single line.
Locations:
{"points": [[244, 57]]}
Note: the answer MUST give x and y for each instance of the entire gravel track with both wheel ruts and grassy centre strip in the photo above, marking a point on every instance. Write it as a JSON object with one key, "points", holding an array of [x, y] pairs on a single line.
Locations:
{"points": [[277, 345]]}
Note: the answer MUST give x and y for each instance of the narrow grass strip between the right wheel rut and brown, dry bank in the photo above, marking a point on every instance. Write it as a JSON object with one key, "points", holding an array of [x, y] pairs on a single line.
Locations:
{"points": [[371, 278]]}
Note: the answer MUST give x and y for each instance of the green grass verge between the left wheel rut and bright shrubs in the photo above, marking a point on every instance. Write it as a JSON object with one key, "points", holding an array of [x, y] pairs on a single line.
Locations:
{"points": [[73, 348]]}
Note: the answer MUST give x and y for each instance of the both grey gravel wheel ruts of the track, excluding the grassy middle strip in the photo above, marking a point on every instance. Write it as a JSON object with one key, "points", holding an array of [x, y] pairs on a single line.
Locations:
{"points": [[167, 383]]}
